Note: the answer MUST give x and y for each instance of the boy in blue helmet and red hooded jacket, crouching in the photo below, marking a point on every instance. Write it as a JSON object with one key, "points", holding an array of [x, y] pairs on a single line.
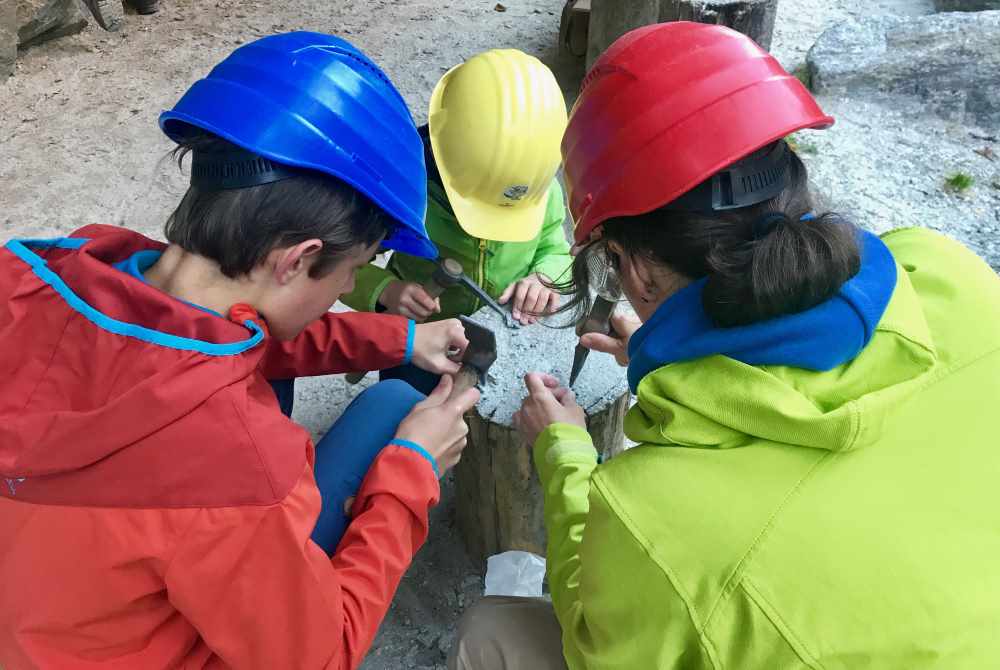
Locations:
{"points": [[159, 509]]}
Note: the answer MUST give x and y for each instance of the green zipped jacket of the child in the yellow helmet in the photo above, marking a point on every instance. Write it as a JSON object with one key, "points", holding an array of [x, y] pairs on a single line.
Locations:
{"points": [[493, 265]]}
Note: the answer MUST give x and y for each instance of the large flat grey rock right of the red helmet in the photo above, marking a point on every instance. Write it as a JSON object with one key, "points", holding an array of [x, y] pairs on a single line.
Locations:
{"points": [[947, 61]]}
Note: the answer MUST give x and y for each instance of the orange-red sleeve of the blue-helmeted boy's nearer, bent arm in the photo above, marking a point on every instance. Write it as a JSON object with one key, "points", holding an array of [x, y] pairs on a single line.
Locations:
{"points": [[261, 594]]}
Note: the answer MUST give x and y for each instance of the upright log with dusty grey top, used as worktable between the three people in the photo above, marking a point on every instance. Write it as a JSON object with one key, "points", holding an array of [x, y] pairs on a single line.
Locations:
{"points": [[498, 496]]}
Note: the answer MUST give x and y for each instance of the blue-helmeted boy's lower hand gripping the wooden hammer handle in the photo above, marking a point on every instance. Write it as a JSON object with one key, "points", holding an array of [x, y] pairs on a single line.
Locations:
{"points": [[436, 423]]}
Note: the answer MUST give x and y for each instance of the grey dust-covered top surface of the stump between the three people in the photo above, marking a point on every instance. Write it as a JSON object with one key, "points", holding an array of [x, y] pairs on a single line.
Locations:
{"points": [[543, 348]]}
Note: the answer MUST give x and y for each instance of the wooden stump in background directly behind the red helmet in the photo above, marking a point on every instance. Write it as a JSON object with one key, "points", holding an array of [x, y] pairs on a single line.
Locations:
{"points": [[610, 19]]}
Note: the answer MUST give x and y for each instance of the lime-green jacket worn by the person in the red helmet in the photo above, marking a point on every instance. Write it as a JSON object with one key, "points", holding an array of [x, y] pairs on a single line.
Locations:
{"points": [[774, 517]]}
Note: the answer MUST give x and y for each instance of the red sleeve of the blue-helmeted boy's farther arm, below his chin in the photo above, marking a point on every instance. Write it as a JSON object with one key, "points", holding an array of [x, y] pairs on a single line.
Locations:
{"points": [[341, 342]]}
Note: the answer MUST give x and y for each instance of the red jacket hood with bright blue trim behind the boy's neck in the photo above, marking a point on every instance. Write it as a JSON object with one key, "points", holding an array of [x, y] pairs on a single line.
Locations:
{"points": [[95, 348]]}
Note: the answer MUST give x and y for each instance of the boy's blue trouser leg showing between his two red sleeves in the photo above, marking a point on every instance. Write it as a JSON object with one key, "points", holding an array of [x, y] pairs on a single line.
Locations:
{"points": [[348, 449]]}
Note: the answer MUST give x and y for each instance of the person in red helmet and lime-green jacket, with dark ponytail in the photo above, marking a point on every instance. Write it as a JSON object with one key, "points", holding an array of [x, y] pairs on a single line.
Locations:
{"points": [[815, 478]]}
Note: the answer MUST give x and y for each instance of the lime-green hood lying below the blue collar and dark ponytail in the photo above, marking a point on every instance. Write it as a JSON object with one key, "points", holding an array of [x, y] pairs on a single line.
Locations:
{"points": [[718, 401]]}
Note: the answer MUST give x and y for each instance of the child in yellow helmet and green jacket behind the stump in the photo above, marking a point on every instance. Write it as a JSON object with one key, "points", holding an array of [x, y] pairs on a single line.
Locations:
{"points": [[492, 151]]}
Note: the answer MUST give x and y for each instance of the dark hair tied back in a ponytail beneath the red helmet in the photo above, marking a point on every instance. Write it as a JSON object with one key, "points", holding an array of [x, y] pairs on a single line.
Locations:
{"points": [[754, 272]]}
